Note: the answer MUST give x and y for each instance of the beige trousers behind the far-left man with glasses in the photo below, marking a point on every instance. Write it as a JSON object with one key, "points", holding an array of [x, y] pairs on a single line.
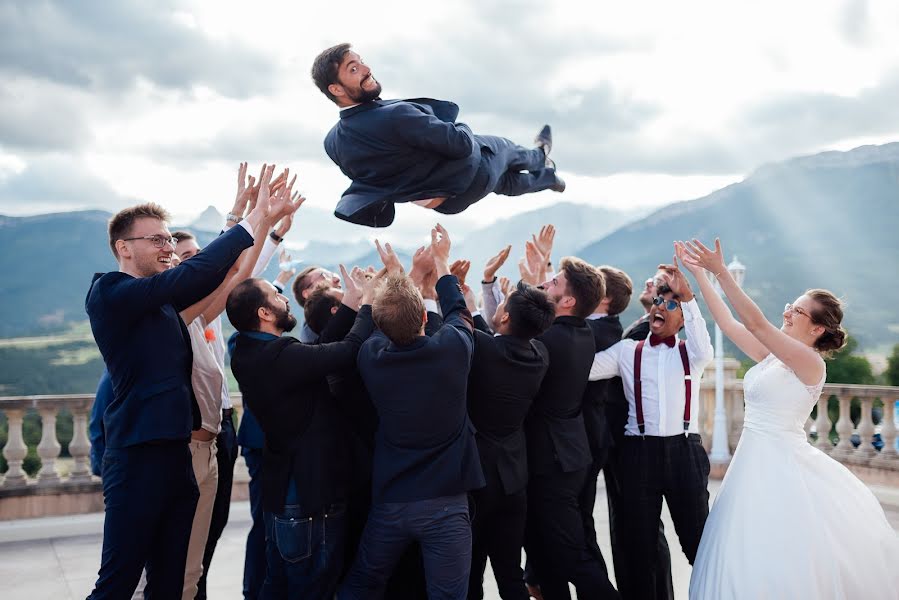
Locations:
{"points": [[207, 473]]}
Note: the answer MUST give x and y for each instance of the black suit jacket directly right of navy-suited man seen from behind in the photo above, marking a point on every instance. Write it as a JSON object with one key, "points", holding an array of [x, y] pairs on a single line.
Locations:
{"points": [[505, 376]]}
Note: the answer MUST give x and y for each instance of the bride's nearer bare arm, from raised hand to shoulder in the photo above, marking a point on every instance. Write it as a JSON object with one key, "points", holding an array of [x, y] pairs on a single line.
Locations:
{"points": [[802, 359]]}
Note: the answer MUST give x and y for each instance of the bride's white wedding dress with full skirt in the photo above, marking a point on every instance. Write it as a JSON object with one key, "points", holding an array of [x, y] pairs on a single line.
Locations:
{"points": [[789, 521]]}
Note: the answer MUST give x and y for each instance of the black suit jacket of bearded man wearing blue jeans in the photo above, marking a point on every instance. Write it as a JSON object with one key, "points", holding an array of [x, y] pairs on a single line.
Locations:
{"points": [[284, 383]]}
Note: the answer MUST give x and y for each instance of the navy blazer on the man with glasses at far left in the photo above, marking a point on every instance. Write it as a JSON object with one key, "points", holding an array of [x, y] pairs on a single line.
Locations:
{"points": [[146, 346]]}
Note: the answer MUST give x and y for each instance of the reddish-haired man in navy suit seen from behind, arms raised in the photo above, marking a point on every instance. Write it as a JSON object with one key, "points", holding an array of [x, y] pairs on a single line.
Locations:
{"points": [[426, 457]]}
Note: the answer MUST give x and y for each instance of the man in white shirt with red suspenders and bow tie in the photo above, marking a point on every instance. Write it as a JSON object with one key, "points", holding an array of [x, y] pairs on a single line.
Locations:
{"points": [[661, 454]]}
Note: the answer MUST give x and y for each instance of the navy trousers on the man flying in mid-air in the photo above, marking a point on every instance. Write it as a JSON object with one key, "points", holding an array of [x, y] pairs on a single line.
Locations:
{"points": [[506, 169]]}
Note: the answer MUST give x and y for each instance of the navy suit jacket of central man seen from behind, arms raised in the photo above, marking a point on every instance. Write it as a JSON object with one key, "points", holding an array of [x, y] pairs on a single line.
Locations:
{"points": [[425, 445]]}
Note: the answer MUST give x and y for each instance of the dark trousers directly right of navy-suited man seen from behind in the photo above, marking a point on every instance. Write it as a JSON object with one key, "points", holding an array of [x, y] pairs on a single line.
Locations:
{"points": [[497, 531]]}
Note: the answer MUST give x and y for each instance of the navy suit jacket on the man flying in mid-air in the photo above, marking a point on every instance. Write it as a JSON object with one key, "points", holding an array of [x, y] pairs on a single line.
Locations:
{"points": [[399, 151]]}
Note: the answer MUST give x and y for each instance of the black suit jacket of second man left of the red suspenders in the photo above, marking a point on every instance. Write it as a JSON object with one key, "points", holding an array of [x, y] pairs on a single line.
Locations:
{"points": [[557, 439]]}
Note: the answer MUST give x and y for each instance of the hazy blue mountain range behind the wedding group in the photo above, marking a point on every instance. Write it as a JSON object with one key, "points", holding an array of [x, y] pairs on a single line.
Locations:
{"points": [[827, 220]]}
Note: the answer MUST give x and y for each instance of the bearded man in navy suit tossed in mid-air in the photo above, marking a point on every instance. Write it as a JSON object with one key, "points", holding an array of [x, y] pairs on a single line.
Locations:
{"points": [[414, 151]]}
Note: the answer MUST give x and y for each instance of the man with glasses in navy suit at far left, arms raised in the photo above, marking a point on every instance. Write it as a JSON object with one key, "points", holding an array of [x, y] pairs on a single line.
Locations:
{"points": [[148, 483]]}
